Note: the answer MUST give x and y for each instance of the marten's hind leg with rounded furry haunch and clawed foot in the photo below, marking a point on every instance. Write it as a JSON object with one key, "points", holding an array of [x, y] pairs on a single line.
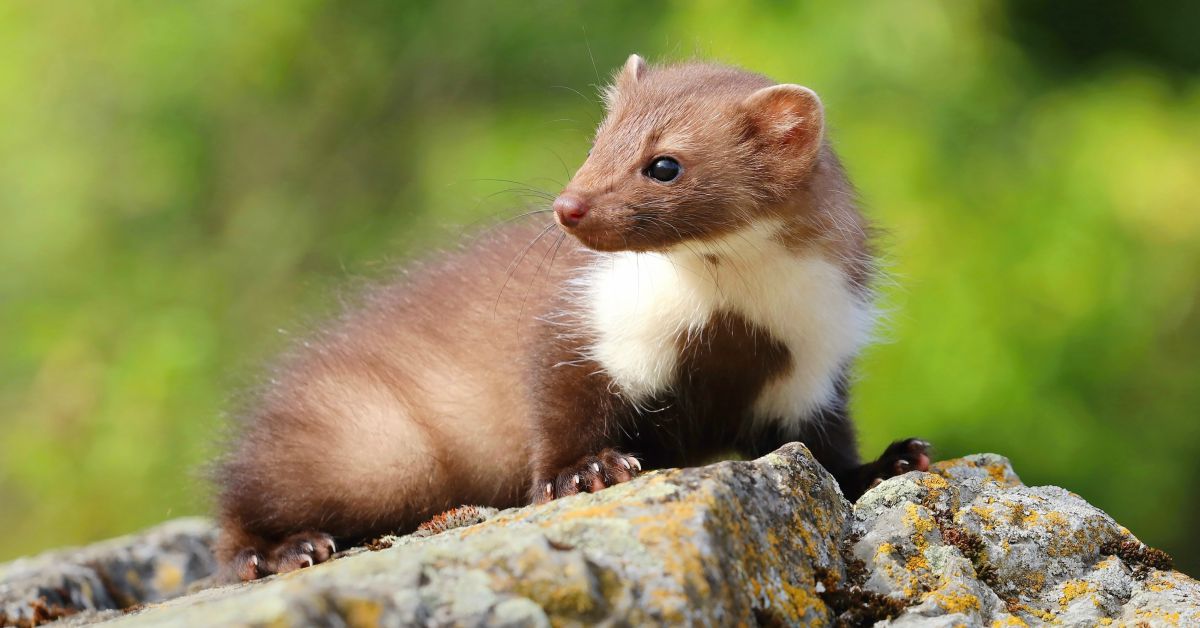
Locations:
{"points": [[332, 456]]}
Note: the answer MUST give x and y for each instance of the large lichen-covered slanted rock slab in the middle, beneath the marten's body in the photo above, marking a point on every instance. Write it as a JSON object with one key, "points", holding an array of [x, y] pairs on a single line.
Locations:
{"points": [[730, 543]]}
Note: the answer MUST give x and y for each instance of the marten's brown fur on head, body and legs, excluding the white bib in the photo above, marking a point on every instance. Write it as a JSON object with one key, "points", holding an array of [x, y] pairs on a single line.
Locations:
{"points": [[463, 384]]}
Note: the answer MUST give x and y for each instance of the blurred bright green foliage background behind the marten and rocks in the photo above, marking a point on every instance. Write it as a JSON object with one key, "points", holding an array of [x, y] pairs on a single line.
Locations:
{"points": [[183, 186]]}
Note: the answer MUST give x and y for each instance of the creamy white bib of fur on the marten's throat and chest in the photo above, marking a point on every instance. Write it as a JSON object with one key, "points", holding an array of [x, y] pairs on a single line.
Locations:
{"points": [[643, 304]]}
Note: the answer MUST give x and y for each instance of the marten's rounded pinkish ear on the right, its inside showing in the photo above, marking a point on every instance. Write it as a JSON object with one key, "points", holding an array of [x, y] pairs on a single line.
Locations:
{"points": [[789, 117]]}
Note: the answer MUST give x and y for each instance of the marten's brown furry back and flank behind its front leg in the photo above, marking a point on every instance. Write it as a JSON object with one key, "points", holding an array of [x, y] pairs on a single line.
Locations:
{"points": [[407, 406]]}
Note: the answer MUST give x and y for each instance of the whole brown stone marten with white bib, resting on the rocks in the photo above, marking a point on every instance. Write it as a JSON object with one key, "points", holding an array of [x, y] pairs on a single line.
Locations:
{"points": [[705, 291]]}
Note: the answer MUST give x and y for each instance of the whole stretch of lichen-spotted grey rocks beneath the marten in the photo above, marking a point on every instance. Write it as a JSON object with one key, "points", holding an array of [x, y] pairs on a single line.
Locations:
{"points": [[766, 542]]}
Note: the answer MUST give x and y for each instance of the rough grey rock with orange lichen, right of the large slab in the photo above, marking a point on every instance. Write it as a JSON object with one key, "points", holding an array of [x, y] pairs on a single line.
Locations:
{"points": [[969, 545]]}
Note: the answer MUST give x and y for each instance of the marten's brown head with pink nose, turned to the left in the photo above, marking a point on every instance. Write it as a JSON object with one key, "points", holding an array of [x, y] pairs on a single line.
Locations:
{"points": [[691, 152]]}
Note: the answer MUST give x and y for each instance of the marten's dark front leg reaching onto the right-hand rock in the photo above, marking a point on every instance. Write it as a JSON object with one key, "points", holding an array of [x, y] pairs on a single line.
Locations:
{"points": [[831, 436]]}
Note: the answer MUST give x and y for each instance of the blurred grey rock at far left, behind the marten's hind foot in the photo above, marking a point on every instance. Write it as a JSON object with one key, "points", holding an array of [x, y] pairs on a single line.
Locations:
{"points": [[157, 565]]}
